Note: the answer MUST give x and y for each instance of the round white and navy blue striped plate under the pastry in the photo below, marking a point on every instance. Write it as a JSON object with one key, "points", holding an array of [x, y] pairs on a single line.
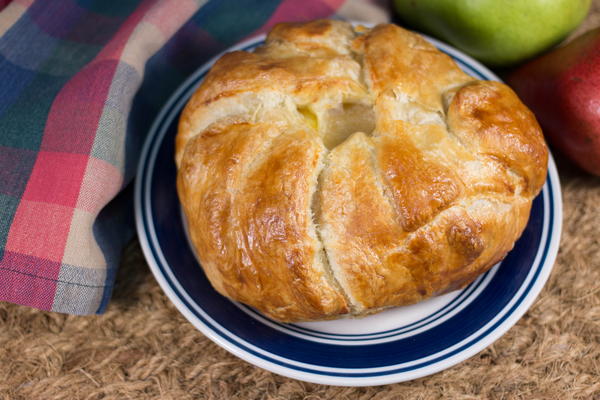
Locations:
{"points": [[397, 345]]}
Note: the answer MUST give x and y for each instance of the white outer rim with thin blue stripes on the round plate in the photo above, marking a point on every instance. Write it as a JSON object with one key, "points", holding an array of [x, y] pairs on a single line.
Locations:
{"points": [[149, 153]]}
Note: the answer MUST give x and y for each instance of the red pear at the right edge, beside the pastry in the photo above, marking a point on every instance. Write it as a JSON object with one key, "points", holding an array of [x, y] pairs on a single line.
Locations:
{"points": [[562, 88]]}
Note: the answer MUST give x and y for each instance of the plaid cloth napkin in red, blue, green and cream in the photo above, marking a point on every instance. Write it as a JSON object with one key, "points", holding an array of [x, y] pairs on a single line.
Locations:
{"points": [[80, 83]]}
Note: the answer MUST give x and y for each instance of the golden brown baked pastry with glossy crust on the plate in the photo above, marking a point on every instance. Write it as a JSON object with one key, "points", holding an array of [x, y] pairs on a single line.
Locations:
{"points": [[339, 171]]}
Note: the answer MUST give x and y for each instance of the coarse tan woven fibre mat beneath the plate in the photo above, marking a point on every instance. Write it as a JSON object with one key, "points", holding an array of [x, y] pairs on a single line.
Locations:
{"points": [[143, 348]]}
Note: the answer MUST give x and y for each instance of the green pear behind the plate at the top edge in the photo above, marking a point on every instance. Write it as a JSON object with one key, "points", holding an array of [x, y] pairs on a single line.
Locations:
{"points": [[497, 32]]}
